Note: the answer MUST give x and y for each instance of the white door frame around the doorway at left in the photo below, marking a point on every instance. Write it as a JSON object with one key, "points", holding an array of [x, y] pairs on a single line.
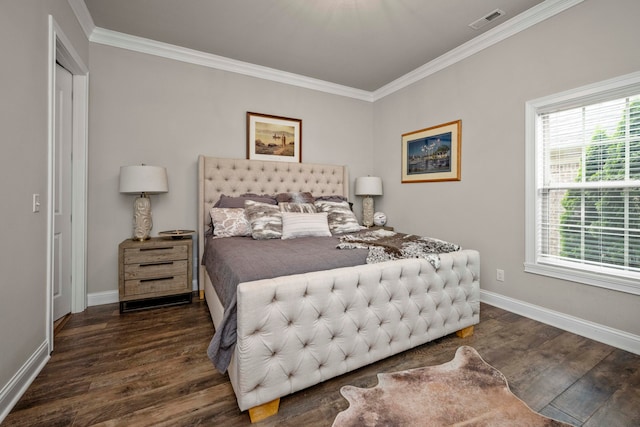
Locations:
{"points": [[61, 50]]}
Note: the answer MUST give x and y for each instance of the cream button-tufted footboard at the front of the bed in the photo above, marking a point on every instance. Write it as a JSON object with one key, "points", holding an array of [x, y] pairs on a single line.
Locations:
{"points": [[296, 331]]}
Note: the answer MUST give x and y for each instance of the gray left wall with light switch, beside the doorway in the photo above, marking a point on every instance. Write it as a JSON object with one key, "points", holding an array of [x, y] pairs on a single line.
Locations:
{"points": [[24, 32]]}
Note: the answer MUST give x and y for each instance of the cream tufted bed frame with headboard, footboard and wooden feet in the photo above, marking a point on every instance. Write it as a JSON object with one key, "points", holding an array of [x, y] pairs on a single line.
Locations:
{"points": [[297, 330]]}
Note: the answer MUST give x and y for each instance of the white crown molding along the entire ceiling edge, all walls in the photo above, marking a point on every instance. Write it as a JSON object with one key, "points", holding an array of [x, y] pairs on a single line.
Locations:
{"points": [[519, 23]]}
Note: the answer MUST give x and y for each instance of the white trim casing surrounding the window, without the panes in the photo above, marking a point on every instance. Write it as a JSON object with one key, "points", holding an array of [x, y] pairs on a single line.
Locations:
{"points": [[616, 87]]}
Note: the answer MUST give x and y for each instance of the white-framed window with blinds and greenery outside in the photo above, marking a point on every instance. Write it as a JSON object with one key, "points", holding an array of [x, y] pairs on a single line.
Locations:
{"points": [[583, 185]]}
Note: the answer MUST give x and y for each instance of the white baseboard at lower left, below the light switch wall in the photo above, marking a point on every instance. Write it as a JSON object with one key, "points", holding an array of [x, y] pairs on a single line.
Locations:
{"points": [[17, 386]]}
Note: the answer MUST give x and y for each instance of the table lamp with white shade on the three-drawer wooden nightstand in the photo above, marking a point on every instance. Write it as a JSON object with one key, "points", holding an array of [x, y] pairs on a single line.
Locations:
{"points": [[143, 180]]}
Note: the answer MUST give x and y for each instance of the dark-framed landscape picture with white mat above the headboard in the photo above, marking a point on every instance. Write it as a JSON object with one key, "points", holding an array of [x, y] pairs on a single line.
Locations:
{"points": [[274, 138]]}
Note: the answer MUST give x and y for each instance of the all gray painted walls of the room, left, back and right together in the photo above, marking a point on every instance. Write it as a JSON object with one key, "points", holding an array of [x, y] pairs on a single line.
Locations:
{"points": [[156, 111]]}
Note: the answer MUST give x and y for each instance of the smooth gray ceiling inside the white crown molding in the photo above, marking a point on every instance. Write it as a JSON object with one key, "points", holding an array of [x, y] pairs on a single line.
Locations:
{"points": [[361, 44]]}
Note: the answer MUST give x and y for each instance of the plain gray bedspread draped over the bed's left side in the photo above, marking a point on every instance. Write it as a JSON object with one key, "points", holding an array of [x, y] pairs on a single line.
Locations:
{"points": [[233, 260]]}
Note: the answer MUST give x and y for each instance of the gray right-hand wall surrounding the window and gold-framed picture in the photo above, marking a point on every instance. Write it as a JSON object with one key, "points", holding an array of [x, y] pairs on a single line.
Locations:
{"points": [[590, 42]]}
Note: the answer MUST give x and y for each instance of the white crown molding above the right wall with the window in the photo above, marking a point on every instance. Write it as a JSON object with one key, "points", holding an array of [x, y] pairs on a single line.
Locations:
{"points": [[513, 26]]}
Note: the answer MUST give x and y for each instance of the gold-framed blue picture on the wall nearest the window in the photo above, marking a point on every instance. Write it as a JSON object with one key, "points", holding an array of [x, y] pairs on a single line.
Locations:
{"points": [[432, 154]]}
